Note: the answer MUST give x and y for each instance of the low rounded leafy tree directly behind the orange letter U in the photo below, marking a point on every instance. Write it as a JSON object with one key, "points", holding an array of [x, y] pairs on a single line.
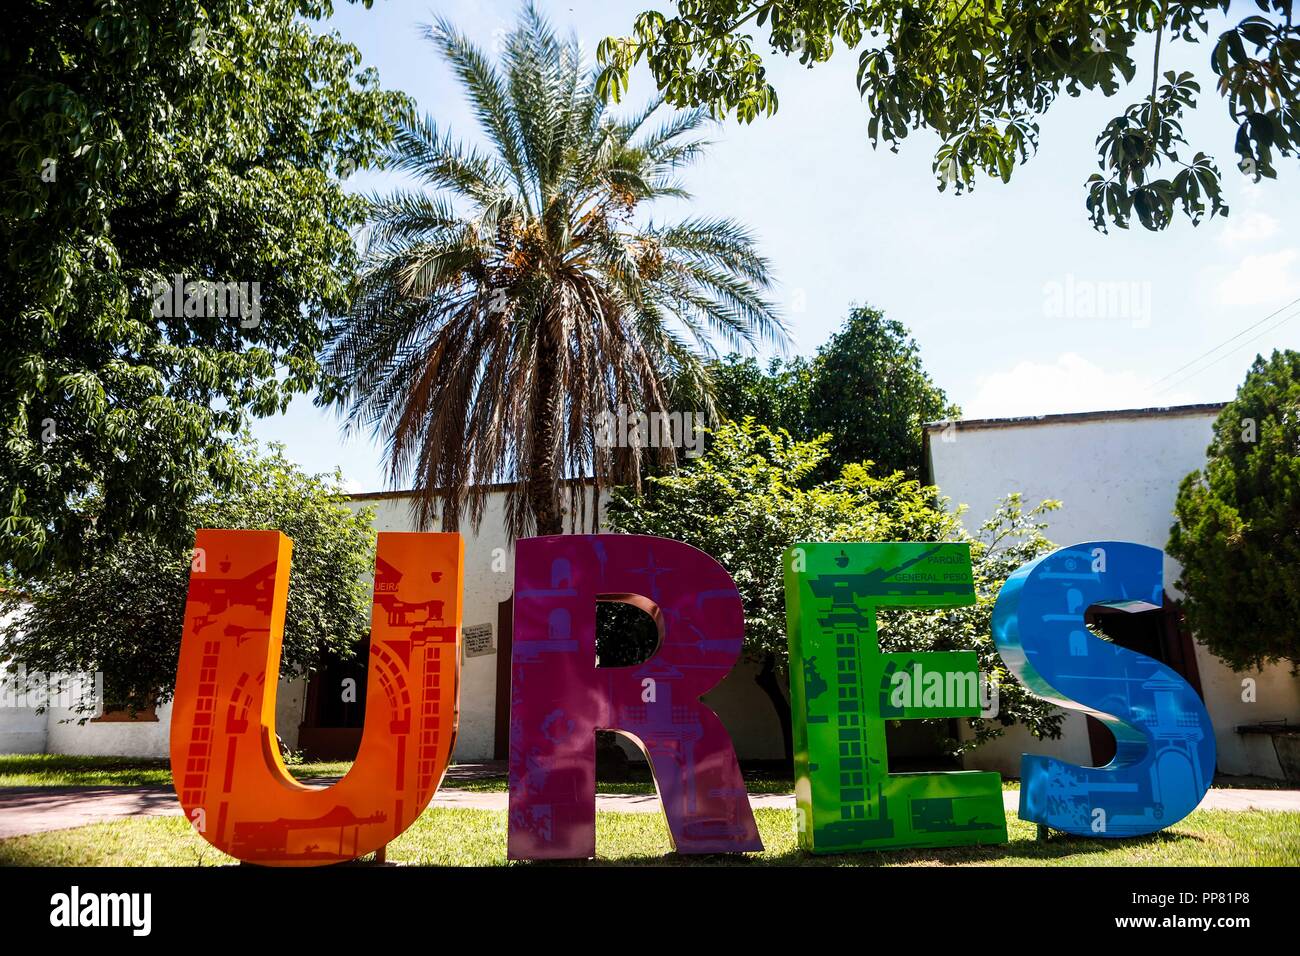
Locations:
{"points": [[123, 613]]}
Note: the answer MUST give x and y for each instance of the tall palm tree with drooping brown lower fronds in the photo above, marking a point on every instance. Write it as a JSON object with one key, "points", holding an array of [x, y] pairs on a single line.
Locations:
{"points": [[501, 312]]}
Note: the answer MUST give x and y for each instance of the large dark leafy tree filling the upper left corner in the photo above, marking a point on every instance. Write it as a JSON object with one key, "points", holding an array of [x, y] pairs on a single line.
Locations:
{"points": [[144, 141]]}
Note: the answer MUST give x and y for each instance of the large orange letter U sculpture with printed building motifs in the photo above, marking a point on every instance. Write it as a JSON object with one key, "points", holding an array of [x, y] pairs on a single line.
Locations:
{"points": [[226, 759]]}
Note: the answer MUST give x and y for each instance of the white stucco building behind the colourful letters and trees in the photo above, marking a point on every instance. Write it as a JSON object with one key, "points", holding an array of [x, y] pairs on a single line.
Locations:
{"points": [[1117, 474]]}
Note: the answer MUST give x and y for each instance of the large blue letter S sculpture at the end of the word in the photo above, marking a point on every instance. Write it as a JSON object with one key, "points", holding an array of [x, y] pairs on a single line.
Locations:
{"points": [[1165, 745]]}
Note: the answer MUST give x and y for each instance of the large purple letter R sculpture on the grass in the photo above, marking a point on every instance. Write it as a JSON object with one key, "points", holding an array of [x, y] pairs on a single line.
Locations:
{"points": [[560, 698]]}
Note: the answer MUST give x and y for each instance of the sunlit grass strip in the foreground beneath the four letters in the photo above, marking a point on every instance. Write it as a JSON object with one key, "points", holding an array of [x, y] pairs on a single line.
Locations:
{"points": [[478, 838]]}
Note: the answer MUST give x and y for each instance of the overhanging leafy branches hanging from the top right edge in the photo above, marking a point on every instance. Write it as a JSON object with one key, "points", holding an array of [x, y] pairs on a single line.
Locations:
{"points": [[981, 76]]}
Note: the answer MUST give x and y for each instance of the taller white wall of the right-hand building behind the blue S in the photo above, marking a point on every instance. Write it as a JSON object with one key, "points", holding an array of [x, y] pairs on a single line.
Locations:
{"points": [[1117, 477]]}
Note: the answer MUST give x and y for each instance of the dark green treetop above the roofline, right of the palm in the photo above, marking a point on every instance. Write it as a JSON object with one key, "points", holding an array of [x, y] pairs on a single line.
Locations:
{"points": [[868, 390]]}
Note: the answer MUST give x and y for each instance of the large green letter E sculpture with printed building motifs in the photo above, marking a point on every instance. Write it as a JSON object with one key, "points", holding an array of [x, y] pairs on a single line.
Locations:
{"points": [[843, 690]]}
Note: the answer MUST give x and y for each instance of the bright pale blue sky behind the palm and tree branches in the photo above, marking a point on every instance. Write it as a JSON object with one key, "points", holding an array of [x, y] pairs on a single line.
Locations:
{"points": [[1019, 305]]}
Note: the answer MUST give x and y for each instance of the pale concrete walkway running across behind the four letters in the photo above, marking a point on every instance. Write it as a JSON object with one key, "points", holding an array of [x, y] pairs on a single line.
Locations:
{"points": [[37, 810]]}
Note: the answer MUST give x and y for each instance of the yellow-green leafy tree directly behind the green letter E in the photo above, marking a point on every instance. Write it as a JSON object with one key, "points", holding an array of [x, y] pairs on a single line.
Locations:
{"points": [[748, 499]]}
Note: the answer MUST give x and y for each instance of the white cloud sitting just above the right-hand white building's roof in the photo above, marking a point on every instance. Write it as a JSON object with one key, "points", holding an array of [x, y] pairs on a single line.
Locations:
{"points": [[1068, 384]]}
